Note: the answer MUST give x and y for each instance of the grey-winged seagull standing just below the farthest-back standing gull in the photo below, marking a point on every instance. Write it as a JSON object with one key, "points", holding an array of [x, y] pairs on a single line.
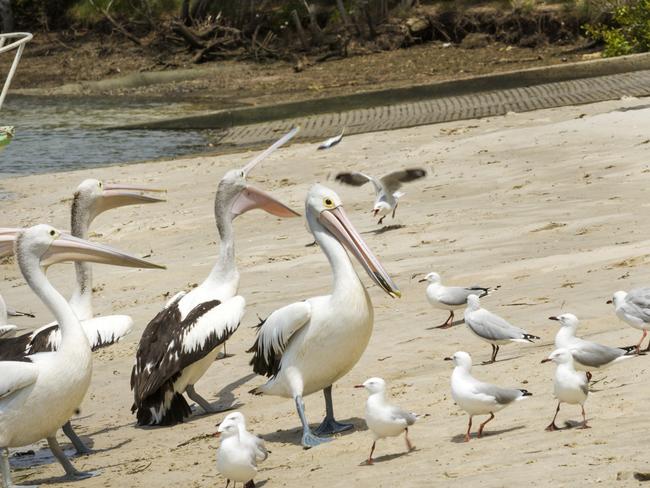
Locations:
{"points": [[492, 328]]}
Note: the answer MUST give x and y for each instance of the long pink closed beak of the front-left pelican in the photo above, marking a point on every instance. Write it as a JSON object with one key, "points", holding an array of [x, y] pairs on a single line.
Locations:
{"points": [[68, 248]]}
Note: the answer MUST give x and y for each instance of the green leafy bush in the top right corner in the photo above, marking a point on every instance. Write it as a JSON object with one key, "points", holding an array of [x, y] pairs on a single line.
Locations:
{"points": [[629, 31]]}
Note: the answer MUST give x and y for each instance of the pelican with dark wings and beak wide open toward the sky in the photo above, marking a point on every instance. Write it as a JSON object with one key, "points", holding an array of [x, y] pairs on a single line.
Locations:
{"points": [[182, 341]]}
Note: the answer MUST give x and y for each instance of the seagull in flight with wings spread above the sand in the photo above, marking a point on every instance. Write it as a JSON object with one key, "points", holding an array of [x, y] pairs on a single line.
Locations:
{"points": [[386, 188]]}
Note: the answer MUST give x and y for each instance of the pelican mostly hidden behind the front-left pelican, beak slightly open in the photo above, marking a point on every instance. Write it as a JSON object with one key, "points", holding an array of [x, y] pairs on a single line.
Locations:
{"points": [[92, 197]]}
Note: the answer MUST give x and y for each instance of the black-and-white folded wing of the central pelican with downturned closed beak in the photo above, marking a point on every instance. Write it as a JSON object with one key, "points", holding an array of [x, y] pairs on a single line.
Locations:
{"points": [[274, 335]]}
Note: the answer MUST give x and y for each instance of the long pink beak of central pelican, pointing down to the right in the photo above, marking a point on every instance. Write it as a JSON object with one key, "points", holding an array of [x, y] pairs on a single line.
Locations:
{"points": [[337, 222]]}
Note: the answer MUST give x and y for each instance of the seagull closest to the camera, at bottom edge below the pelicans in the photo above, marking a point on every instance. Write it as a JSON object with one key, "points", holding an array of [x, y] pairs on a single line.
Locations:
{"points": [[236, 458]]}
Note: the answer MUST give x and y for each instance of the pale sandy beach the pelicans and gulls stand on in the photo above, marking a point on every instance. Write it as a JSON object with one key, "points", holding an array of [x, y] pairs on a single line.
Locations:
{"points": [[551, 205]]}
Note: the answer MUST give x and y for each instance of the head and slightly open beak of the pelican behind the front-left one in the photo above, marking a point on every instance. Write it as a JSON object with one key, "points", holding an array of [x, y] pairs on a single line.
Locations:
{"points": [[92, 197]]}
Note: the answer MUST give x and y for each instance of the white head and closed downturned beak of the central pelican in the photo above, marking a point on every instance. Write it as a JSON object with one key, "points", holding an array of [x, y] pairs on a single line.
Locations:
{"points": [[325, 214]]}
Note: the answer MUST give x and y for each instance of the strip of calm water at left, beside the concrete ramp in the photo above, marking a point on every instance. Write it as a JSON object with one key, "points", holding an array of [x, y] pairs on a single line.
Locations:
{"points": [[65, 133]]}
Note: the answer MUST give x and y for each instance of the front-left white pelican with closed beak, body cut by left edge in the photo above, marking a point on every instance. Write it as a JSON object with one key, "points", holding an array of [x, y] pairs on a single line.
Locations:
{"points": [[40, 392]]}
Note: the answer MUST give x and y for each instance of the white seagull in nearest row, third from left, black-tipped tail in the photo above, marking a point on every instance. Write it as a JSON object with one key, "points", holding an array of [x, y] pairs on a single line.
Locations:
{"points": [[476, 397]]}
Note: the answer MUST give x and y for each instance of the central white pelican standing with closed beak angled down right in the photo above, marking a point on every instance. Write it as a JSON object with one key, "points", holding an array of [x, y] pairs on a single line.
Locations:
{"points": [[306, 346]]}
